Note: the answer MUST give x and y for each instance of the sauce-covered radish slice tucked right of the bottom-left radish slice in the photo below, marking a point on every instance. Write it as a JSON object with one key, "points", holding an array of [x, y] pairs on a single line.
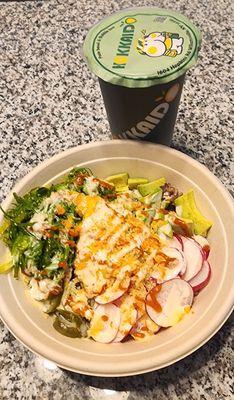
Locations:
{"points": [[127, 319]]}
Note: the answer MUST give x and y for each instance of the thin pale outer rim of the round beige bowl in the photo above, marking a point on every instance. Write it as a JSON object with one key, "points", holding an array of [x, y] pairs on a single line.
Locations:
{"points": [[66, 153]]}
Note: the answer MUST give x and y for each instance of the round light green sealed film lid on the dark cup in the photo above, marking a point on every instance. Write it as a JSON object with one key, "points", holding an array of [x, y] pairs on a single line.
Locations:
{"points": [[142, 47]]}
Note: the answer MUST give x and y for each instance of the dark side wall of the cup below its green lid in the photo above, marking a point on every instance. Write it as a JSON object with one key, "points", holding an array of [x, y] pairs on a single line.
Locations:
{"points": [[143, 113]]}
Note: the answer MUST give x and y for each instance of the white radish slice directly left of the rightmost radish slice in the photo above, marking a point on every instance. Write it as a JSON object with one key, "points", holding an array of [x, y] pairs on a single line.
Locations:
{"points": [[194, 258]]}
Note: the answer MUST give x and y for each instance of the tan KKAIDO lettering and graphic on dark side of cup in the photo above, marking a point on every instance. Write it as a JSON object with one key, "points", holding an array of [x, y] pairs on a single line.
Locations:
{"points": [[143, 128]]}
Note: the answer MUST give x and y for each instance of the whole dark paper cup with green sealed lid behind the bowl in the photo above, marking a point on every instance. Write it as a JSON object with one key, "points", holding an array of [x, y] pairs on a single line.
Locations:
{"points": [[141, 56]]}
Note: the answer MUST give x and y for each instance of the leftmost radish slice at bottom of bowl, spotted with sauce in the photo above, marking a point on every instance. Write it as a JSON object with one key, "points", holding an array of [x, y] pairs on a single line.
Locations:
{"points": [[105, 323]]}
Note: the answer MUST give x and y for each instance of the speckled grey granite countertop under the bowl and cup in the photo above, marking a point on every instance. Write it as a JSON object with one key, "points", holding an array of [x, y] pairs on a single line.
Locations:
{"points": [[49, 102]]}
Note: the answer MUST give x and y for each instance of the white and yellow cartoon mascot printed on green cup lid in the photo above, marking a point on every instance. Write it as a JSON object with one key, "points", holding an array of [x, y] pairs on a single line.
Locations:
{"points": [[157, 44]]}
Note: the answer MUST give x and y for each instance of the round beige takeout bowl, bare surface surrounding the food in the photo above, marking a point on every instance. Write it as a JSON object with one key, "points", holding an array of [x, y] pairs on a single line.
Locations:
{"points": [[211, 307]]}
